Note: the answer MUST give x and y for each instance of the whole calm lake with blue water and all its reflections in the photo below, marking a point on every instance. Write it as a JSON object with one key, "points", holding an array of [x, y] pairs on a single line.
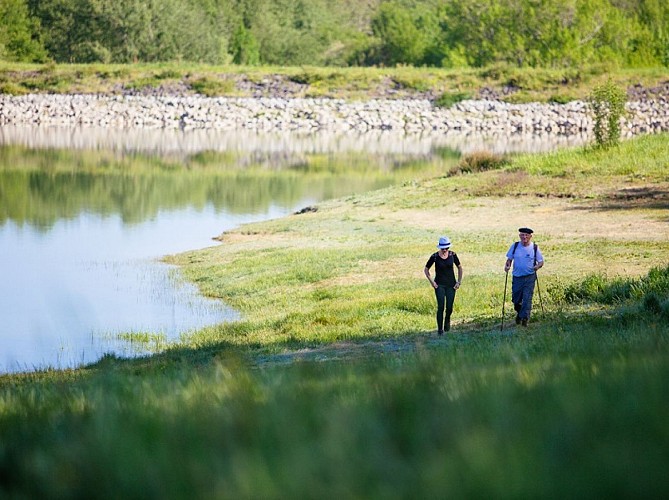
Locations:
{"points": [[86, 215]]}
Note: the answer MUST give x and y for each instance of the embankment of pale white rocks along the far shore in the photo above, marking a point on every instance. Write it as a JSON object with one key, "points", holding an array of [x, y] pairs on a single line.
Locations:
{"points": [[645, 114]]}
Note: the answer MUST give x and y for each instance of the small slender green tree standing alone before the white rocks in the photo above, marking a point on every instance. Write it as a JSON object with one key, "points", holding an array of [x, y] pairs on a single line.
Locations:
{"points": [[608, 105]]}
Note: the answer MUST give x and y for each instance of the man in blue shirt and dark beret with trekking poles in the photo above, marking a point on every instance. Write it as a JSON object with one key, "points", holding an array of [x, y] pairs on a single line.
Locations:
{"points": [[527, 259]]}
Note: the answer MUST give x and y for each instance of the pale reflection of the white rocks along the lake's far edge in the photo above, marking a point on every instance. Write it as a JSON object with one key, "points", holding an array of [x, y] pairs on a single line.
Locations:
{"points": [[184, 143]]}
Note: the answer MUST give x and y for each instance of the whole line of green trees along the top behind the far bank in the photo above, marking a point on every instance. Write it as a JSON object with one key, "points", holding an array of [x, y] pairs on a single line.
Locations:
{"points": [[434, 33]]}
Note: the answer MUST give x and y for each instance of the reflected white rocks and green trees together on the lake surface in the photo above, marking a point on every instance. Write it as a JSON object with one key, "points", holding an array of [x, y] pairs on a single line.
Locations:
{"points": [[51, 173]]}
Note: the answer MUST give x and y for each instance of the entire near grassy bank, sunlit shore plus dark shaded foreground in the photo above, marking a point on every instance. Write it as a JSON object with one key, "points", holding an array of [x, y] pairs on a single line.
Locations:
{"points": [[334, 385]]}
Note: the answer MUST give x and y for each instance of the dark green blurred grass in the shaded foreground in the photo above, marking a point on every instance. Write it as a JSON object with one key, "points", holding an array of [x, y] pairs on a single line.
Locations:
{"points": [[570, 410]]}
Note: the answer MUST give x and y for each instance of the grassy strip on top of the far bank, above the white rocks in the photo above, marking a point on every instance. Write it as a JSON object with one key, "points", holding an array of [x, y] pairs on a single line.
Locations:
{"points": [[444, 86]]}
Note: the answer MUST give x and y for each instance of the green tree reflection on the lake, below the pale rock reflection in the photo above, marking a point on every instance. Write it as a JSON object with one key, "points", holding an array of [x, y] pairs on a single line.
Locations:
{"points": [[40, 187]]}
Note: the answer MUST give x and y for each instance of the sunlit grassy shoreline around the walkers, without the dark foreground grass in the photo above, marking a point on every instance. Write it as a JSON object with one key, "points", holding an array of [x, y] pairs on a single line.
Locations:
{"points": [[353, 269]]}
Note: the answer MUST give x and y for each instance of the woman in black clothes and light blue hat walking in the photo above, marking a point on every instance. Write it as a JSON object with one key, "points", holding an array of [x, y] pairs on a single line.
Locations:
{"points": [[444, 282]]}
